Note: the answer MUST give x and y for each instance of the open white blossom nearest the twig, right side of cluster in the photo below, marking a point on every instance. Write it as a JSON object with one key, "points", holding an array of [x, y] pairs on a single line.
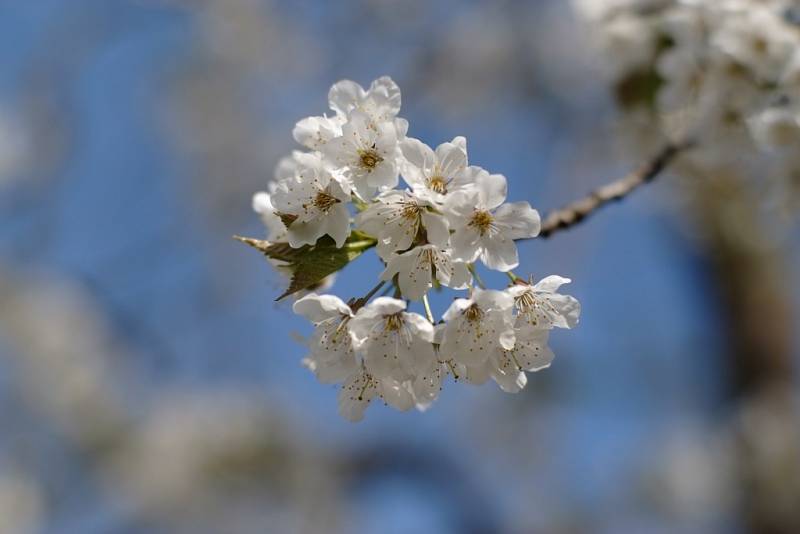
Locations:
{"points": [[486, 228]]}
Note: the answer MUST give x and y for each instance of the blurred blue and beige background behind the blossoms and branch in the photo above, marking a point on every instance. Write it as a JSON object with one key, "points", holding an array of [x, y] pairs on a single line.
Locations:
{"points": [[150, 384]]}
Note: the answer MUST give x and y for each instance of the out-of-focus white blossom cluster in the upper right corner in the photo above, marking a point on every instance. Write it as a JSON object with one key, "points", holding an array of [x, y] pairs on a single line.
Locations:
{"points": [[726, 72]]}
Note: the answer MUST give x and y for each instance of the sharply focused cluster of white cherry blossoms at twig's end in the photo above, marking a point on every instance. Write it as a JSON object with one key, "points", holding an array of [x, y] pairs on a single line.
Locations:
{"points": [[429, 235]]}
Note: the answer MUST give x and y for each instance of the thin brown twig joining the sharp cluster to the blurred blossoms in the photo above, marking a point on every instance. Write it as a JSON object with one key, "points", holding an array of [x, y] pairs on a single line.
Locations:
{"points": [[577, 211]]}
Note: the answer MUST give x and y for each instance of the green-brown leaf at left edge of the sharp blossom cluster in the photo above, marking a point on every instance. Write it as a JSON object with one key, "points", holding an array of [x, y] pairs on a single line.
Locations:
{"points": [[310, 264]]}
